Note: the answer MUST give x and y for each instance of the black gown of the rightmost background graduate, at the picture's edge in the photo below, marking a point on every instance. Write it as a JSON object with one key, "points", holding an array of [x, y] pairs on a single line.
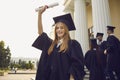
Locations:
{"points": [[113, 52]]}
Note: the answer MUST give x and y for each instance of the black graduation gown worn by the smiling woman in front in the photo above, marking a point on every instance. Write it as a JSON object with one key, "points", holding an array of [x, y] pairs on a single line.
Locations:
{"points": [[59, 66]]}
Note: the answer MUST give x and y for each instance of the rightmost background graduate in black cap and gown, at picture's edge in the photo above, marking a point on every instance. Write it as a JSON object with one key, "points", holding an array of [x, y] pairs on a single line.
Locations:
{"points": [[113, 54]]}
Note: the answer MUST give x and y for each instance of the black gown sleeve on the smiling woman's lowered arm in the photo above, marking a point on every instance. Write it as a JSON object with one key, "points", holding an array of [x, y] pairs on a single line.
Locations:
{"points": [[77, 59]]}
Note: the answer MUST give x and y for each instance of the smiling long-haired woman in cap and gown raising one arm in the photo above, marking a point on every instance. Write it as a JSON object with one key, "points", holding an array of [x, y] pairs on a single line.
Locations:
{"points": [[61, 58]]}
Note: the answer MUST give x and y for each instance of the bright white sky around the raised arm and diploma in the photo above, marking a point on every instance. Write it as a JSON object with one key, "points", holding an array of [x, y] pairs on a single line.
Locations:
{"points": [[18, 24]]}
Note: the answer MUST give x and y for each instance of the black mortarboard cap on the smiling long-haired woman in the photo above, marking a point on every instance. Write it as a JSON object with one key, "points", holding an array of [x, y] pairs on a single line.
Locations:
{"points": [[67, 19]]}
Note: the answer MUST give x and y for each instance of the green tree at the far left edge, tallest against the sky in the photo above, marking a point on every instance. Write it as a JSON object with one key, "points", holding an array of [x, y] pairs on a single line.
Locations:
{"points": [[5, 56]]}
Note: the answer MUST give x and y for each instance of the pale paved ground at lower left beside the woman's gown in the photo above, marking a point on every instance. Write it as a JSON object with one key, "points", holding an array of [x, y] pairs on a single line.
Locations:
{"points": [[24, 75]]}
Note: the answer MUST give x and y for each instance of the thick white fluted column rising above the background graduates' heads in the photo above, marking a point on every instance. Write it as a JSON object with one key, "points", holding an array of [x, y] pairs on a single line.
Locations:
{"points": [[101, 16]]}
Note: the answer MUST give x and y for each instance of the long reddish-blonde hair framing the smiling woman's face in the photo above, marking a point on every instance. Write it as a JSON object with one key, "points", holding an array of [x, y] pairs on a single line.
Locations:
{"points": [[66, 38]]}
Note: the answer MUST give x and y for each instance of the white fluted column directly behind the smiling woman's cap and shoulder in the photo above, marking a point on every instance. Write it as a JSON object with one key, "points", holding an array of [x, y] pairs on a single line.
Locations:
{"points": [[81, 33]]}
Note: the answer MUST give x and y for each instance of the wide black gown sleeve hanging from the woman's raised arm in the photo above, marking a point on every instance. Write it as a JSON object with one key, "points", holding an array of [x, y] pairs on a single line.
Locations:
{"points": [[42, 42]]}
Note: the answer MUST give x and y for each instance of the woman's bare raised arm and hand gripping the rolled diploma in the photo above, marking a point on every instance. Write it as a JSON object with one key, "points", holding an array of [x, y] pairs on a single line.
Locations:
{"points": [[40, 26]]}
